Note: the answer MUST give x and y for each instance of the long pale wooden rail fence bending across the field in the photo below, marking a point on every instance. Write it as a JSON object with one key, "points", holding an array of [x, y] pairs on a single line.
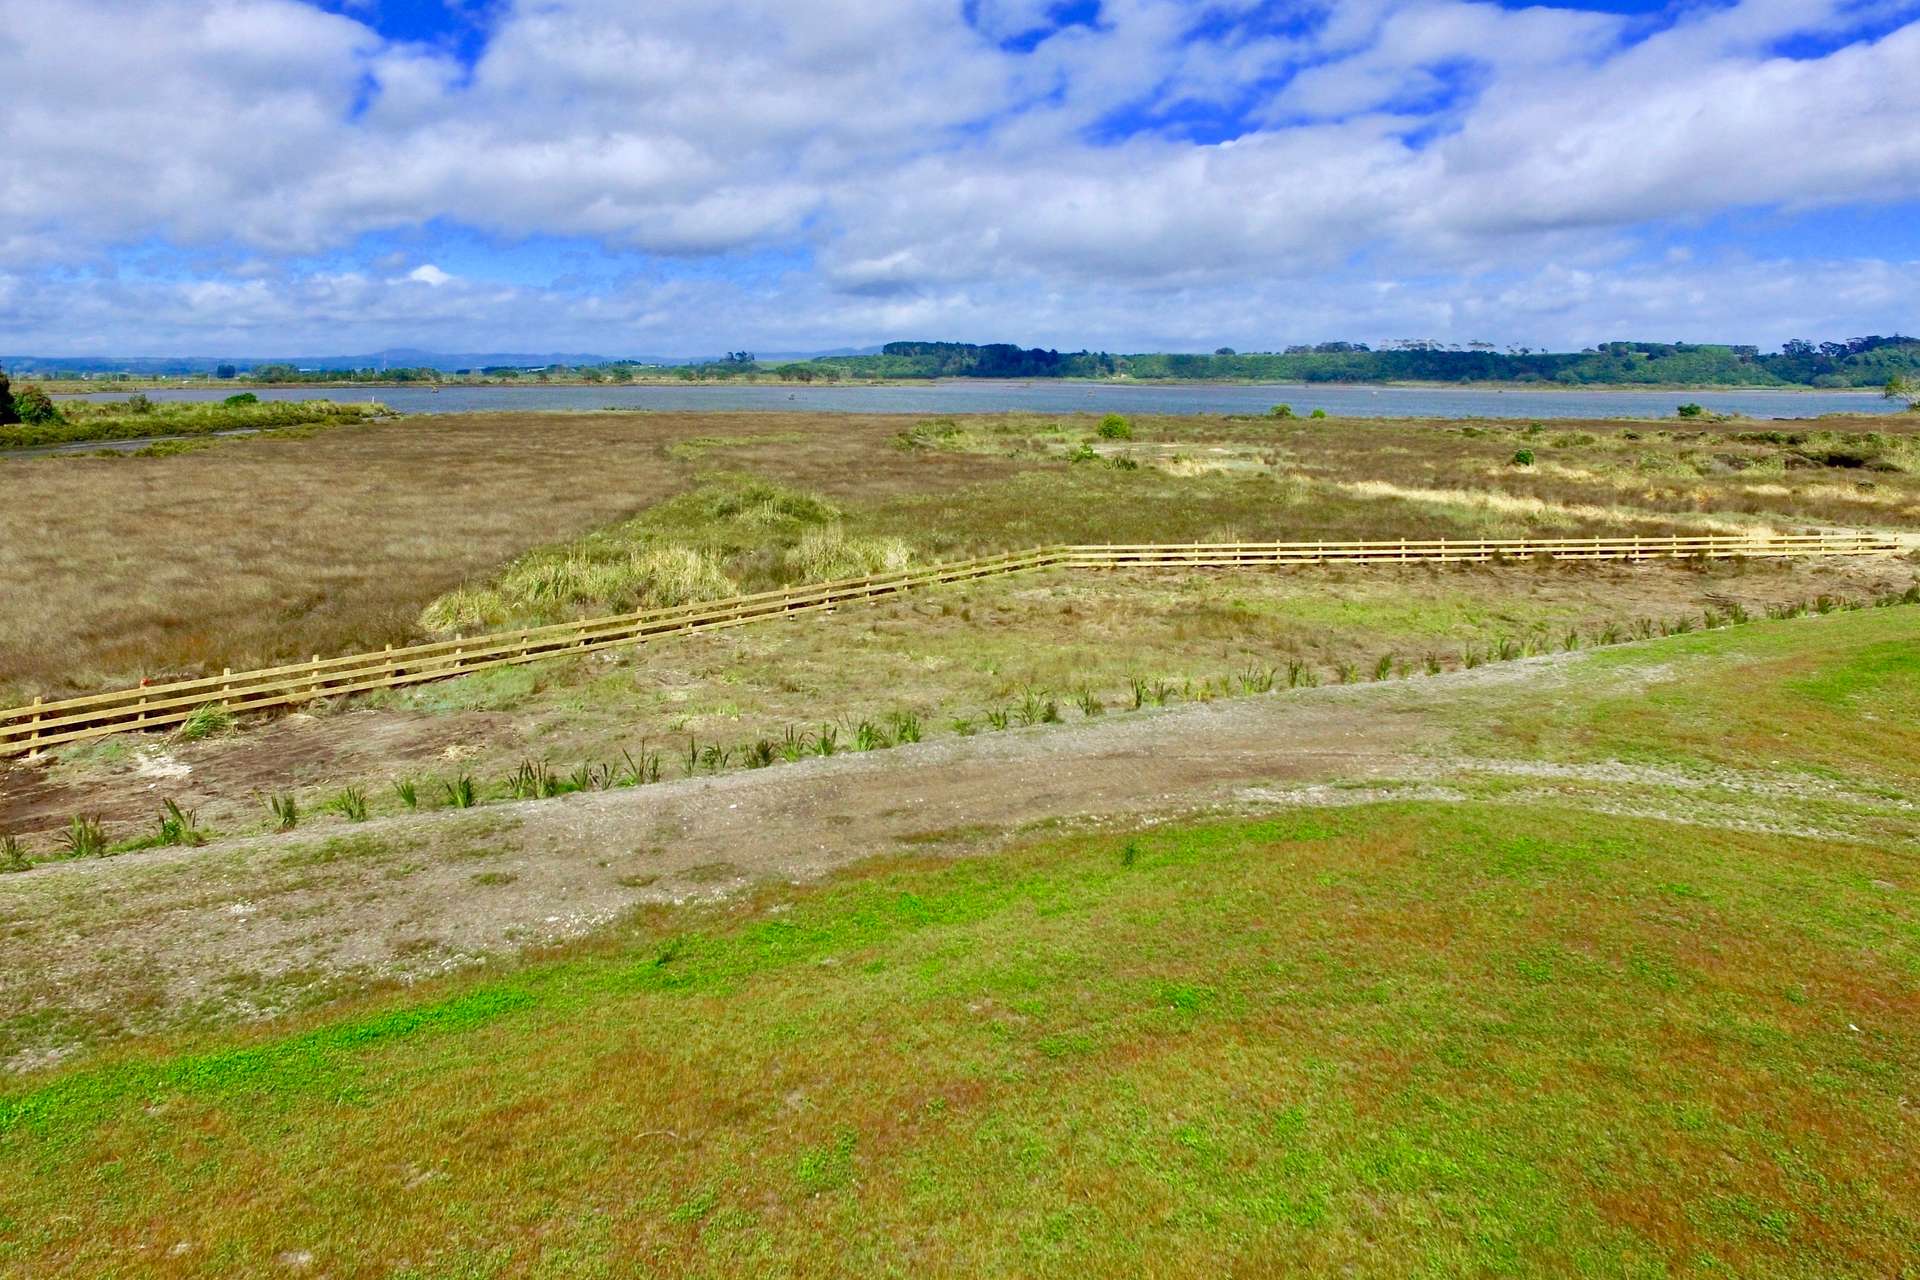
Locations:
{"points": [[45, 724]]}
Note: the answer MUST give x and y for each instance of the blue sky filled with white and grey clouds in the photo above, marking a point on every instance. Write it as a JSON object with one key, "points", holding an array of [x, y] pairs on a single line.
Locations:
{"points": [[256, 178]]}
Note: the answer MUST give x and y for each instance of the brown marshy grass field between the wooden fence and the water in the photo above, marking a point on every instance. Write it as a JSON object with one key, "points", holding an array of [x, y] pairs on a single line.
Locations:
{"points": [[272, 550]]}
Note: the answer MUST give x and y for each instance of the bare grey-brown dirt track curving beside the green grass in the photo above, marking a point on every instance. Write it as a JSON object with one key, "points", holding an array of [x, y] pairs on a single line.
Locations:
{"points": [[254, 928]]}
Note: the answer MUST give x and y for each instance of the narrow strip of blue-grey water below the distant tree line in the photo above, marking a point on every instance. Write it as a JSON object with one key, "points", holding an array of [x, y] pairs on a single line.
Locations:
{"points": [[1355, 402]]}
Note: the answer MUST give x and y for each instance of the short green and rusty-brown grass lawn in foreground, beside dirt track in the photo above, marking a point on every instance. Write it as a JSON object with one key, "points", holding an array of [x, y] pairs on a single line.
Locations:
{"points": [[1391, 1039]]}
